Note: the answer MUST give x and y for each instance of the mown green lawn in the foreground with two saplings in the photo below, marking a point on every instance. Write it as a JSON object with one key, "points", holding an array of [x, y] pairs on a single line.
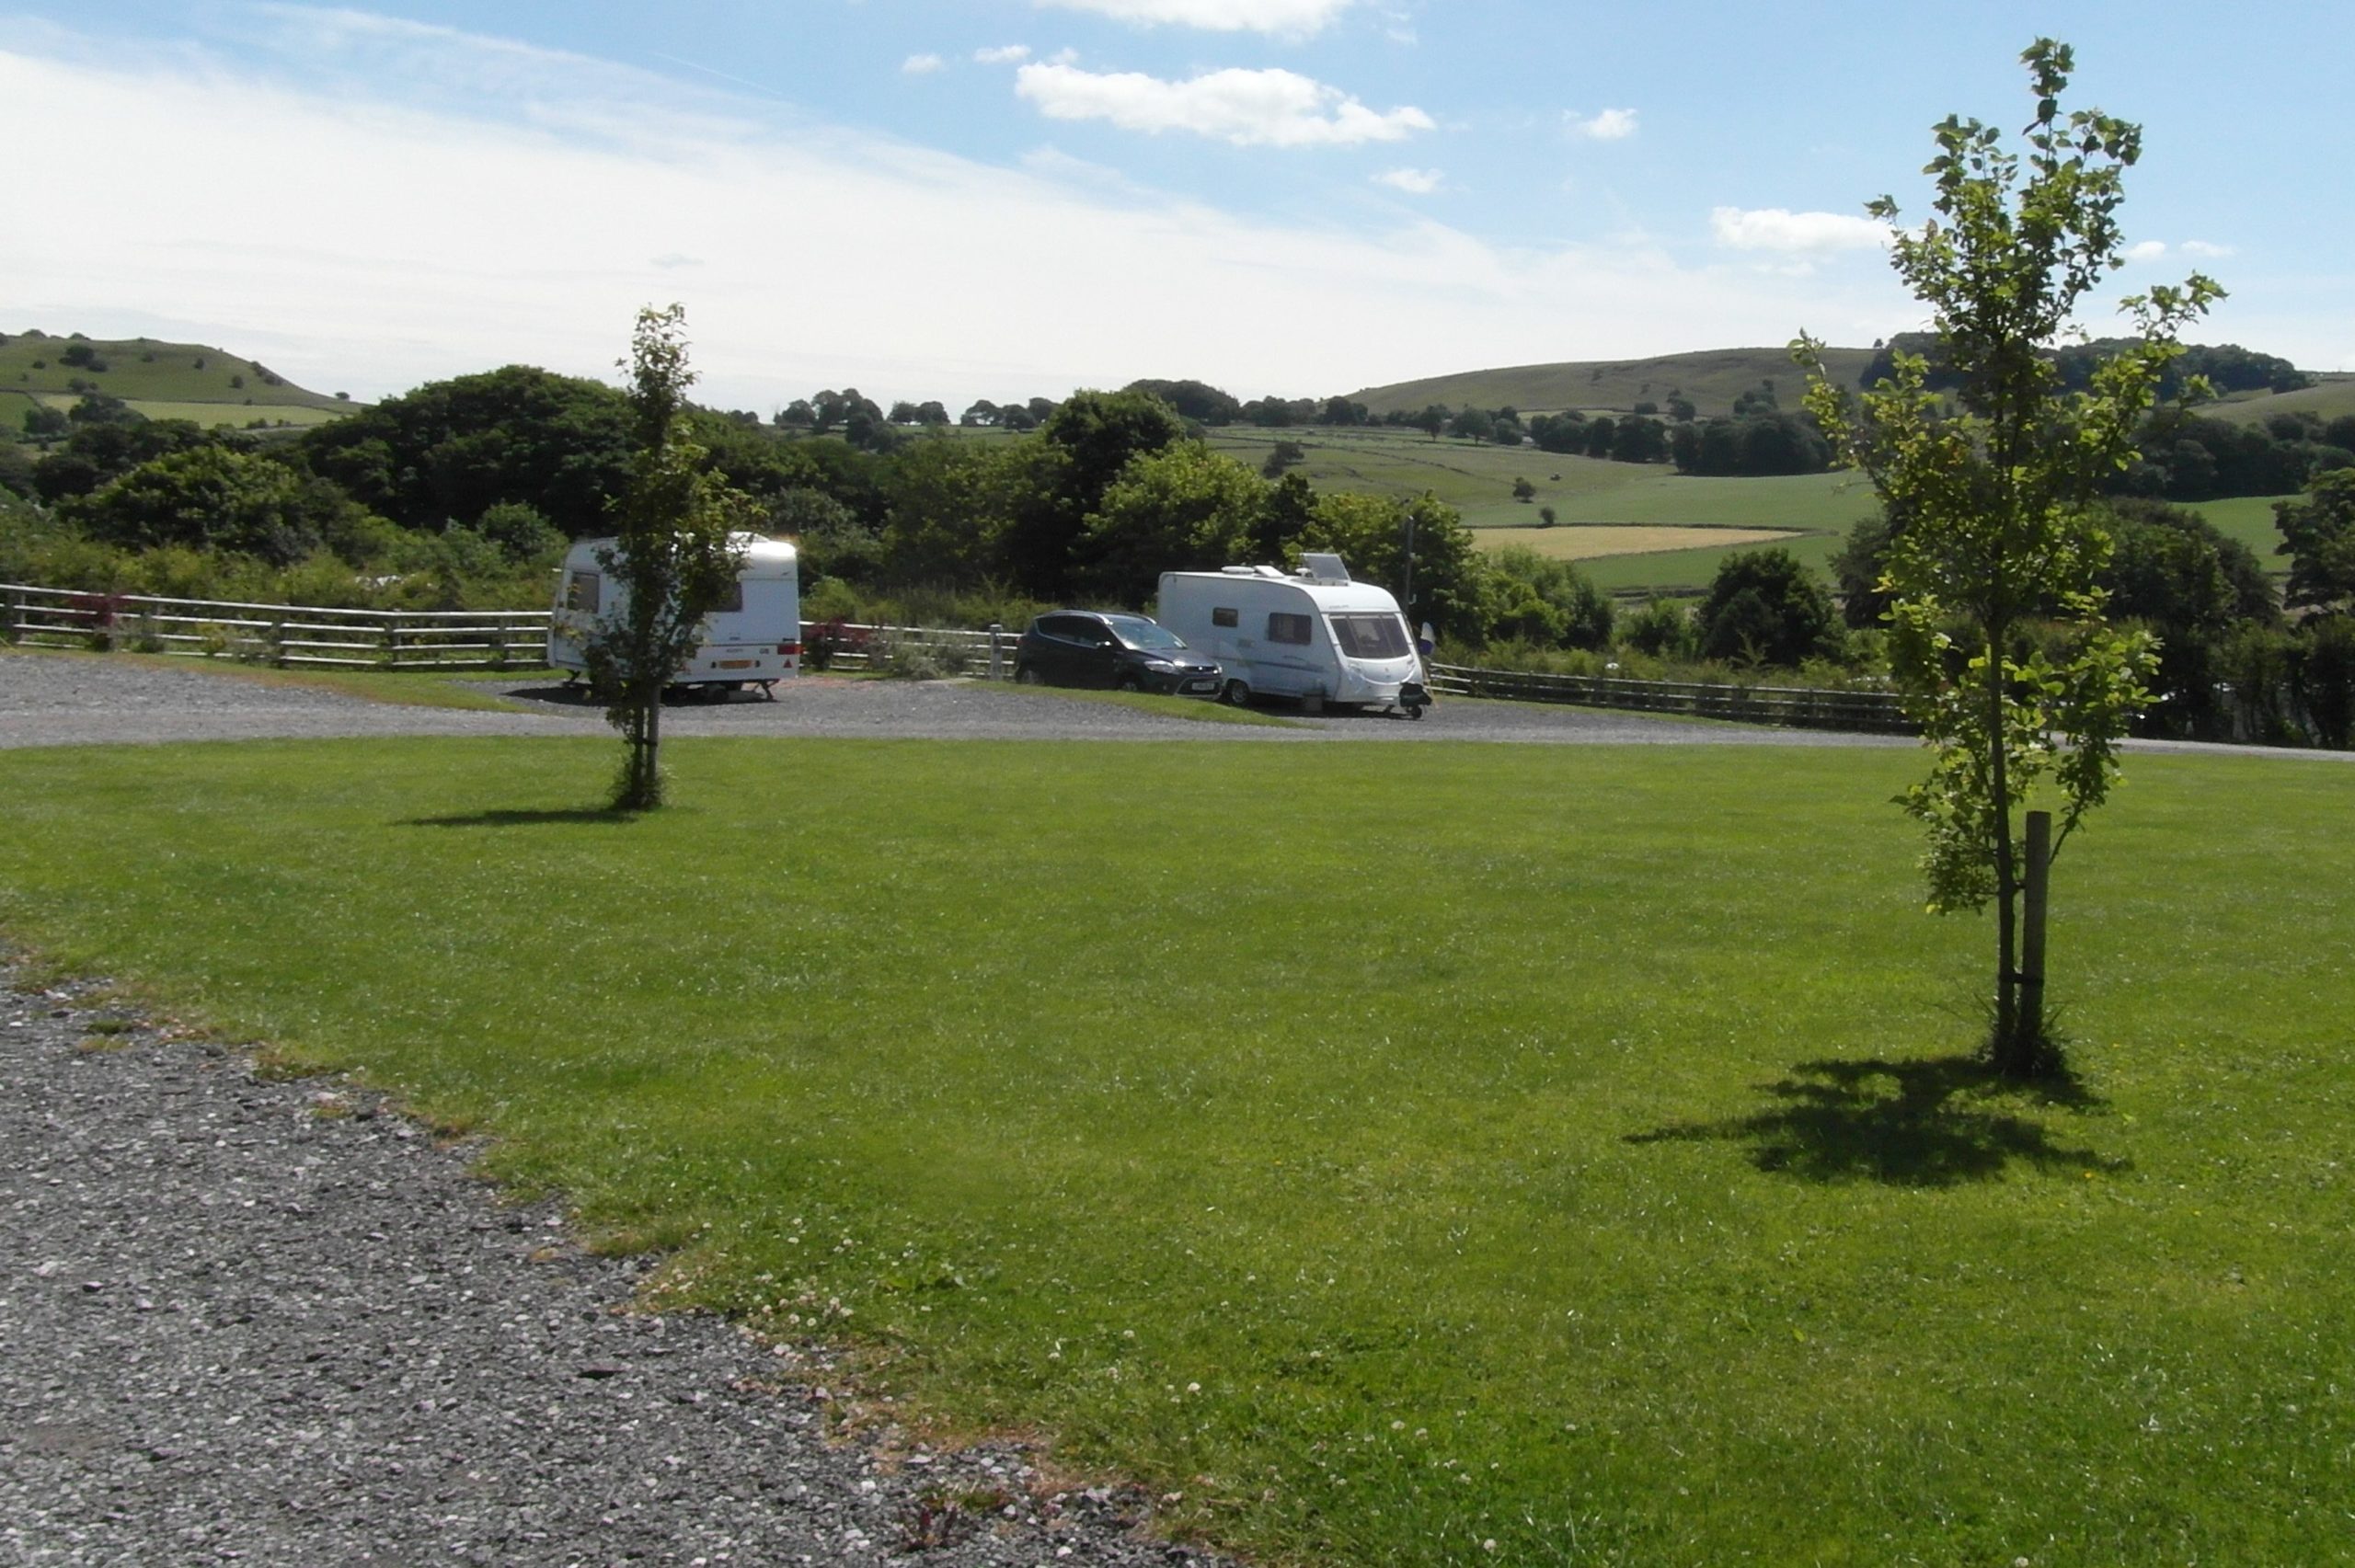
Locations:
{"points": [[1400, 1155]]}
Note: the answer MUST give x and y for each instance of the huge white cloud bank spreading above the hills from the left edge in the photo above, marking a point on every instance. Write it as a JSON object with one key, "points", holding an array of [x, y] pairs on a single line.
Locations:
{"points": [[418, 239]]}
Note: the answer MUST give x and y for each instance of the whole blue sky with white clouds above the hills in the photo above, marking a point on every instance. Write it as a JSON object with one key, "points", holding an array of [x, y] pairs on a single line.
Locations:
{"points": [[948, 199]]}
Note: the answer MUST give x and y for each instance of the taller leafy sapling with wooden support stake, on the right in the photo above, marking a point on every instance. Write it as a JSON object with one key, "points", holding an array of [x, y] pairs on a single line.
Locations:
{"points": [[1986, 493]]}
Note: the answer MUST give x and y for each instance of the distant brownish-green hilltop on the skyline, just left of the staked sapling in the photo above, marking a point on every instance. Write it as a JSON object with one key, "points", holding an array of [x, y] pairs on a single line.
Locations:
{"points": [[1711, 380]]}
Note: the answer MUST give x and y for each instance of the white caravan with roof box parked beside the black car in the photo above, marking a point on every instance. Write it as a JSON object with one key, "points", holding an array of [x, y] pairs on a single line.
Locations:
{"points": [[1308, 634]]}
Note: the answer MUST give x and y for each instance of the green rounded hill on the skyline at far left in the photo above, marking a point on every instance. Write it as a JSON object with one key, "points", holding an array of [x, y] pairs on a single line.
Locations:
{"points": [[157, 378]]}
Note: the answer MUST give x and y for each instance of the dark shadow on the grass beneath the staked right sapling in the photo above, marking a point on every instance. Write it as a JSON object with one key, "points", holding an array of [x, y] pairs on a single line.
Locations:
{"points": [[1935, 1122]]}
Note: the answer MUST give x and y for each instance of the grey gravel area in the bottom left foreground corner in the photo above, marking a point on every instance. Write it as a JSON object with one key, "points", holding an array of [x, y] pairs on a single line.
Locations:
{"points": [[277, 1324]]}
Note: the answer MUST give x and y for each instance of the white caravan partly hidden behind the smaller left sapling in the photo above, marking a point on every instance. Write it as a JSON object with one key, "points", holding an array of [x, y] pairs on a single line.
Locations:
{"points": [[752, 639]]}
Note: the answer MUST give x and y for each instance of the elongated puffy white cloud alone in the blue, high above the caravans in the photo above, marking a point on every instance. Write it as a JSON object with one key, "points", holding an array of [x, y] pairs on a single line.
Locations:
{"points": [[1240, 107]]}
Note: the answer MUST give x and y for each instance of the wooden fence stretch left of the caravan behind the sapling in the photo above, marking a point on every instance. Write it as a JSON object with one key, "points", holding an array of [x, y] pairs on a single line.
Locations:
{"points": [[272, 634]]}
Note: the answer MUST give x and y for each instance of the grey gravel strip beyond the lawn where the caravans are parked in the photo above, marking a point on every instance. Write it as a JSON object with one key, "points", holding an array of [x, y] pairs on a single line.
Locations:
{"points": [[60, 703]]}
